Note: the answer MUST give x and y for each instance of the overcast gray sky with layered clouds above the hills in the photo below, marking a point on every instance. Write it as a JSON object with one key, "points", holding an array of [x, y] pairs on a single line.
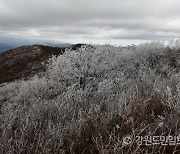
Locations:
{"points": [[92, 21]]}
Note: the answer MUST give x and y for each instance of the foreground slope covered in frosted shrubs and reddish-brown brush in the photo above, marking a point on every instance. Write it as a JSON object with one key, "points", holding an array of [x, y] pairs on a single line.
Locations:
{"points": [[88, 100]]}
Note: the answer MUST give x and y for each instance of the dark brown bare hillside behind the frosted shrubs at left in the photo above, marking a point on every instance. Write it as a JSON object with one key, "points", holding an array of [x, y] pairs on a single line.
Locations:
{"points": [[26, 61]]}
